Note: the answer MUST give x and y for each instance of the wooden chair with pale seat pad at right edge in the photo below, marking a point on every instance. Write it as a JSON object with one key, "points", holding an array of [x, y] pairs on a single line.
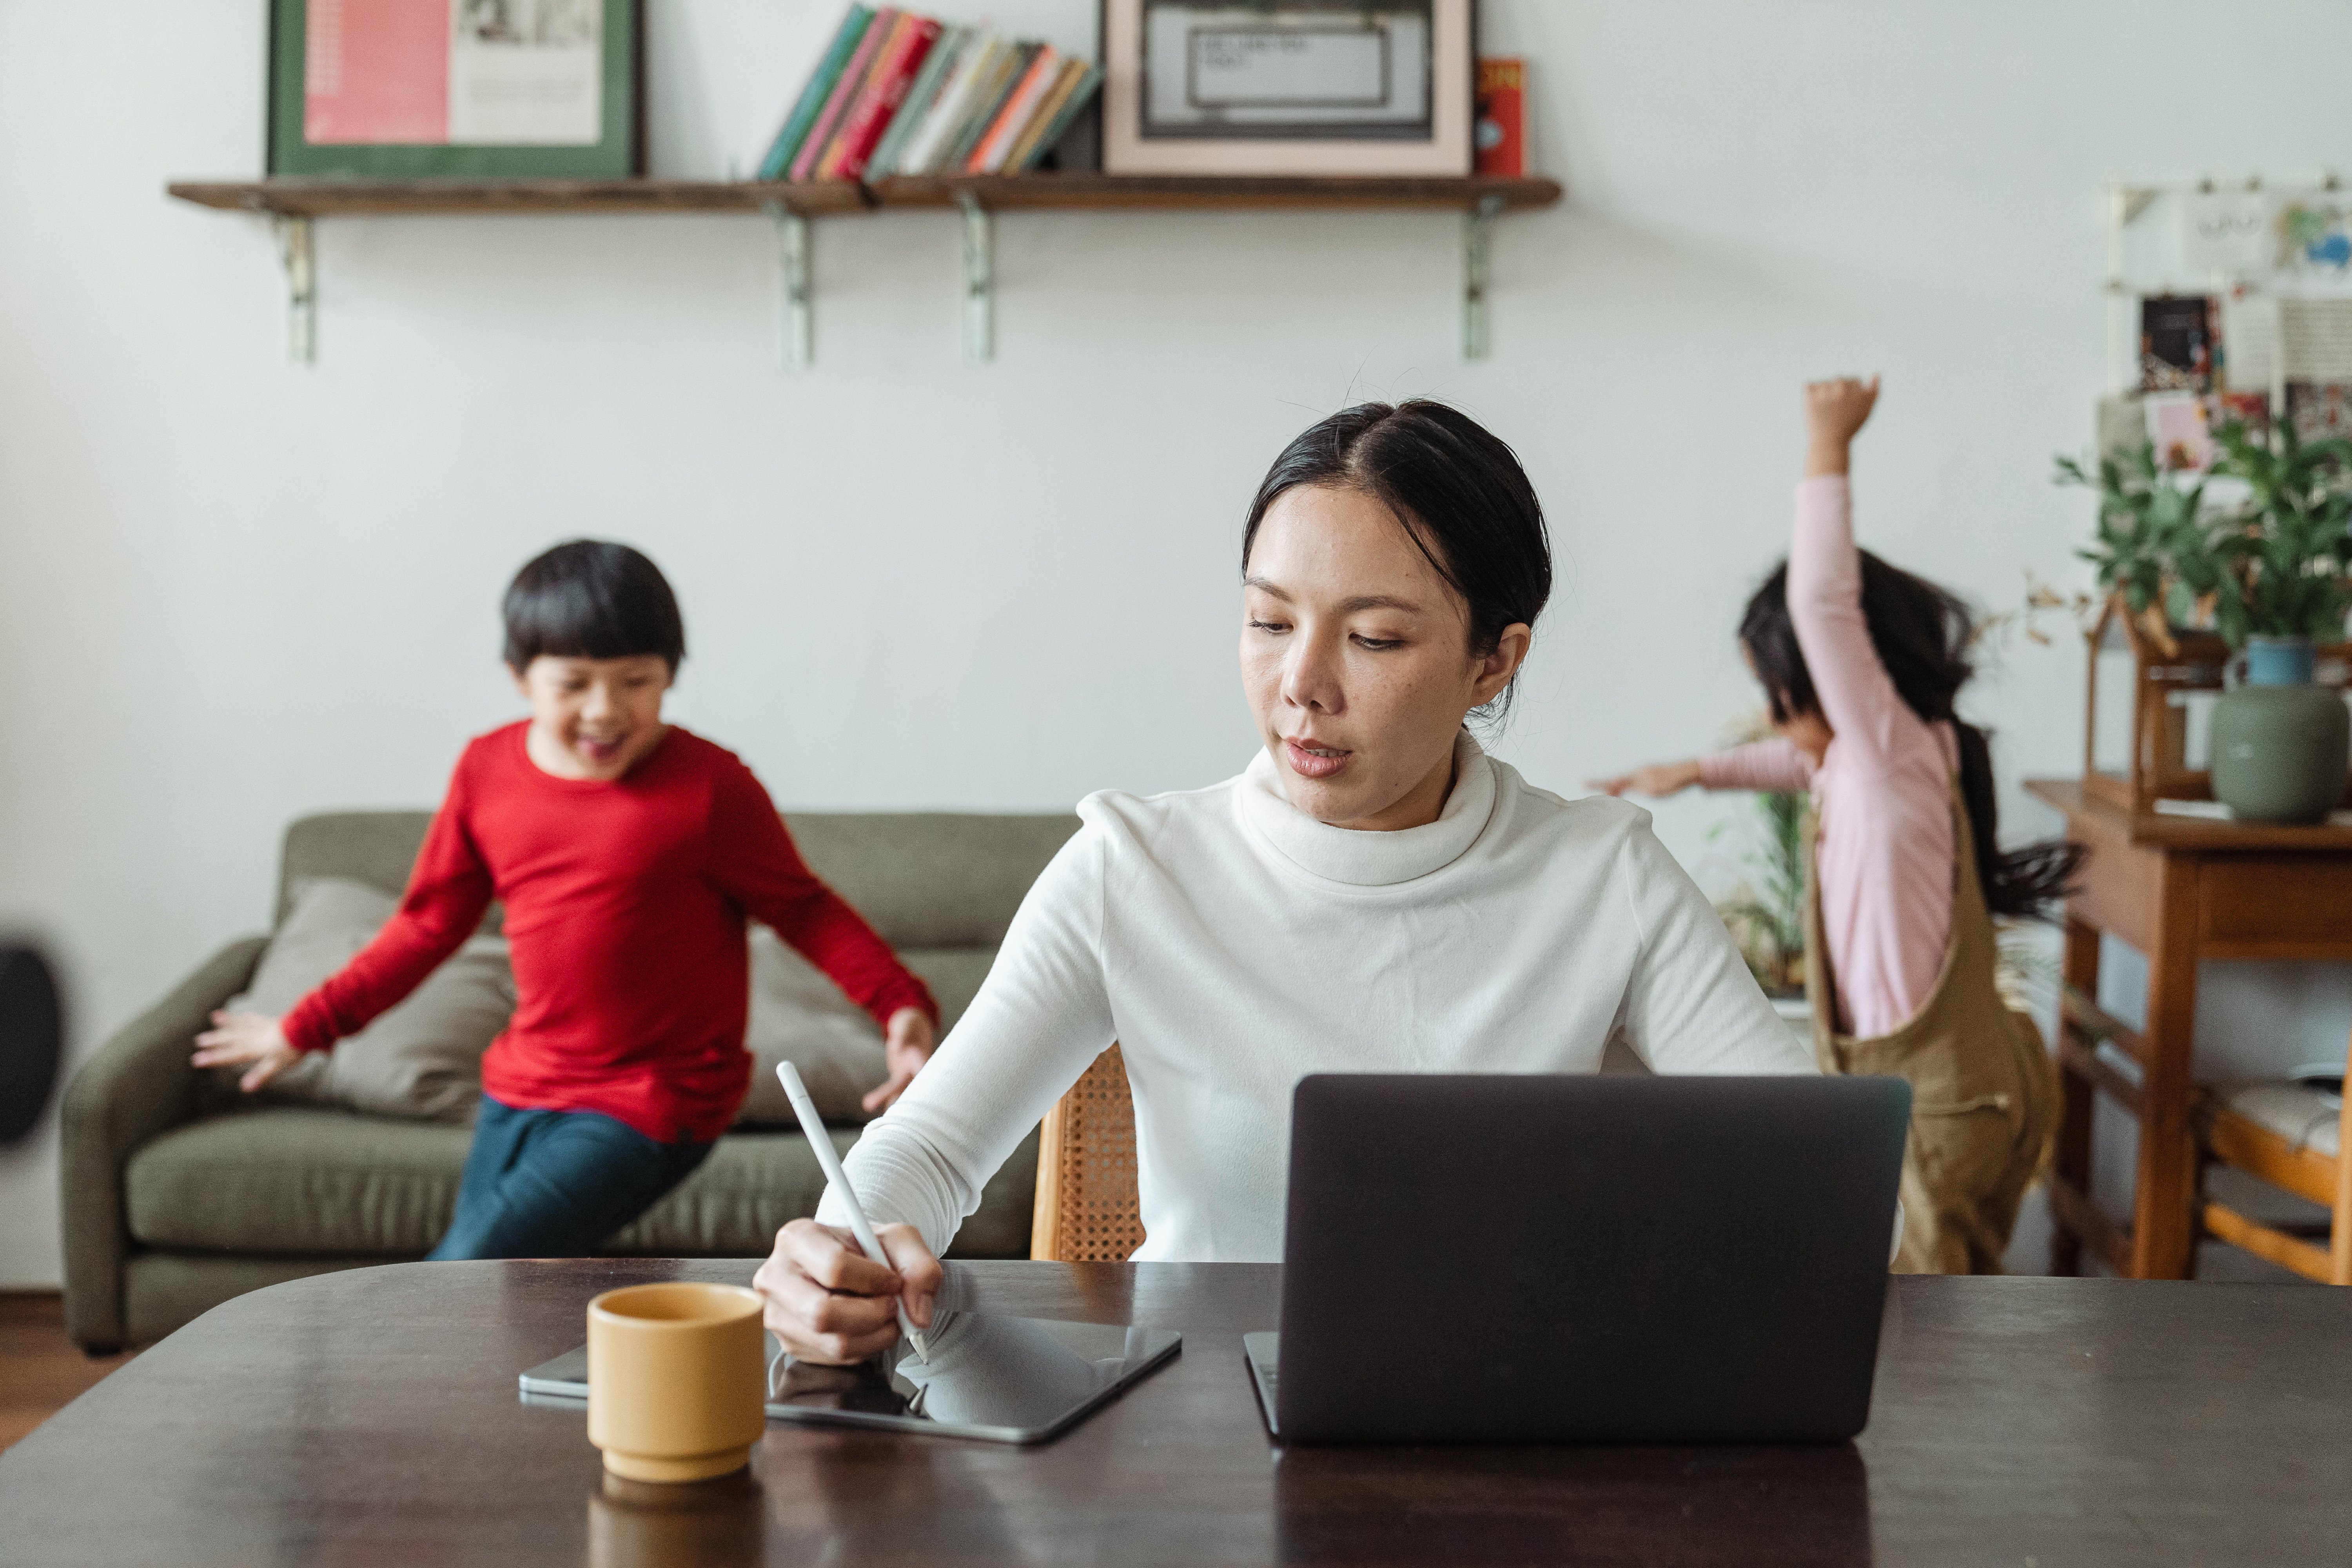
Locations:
{"points": [[2280, 1134]]}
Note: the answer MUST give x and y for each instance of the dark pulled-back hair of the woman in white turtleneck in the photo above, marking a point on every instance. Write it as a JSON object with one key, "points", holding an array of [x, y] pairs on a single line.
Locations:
{"points": [[1457, 492]]}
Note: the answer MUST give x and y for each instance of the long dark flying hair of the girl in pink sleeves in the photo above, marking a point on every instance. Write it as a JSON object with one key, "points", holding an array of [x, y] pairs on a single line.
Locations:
{"points": [[1920, 634]]}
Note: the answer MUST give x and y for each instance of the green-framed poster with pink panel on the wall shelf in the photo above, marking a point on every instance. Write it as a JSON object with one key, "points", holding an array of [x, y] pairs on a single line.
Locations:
{"points": [[457, 88]]}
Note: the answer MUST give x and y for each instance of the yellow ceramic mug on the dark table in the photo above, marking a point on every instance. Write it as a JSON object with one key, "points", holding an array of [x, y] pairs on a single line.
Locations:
{"points": [[676, 1381]]}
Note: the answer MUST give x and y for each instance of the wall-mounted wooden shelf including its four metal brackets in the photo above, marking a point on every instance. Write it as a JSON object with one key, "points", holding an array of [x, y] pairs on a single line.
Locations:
{"points": [[295, 203]]}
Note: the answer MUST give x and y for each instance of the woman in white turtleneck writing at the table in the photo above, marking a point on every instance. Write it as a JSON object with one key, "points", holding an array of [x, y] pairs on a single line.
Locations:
{"points": [[1370, 894]]}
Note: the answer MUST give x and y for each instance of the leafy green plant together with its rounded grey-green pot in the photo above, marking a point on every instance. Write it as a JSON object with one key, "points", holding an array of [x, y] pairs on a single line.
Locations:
{"points": [[2271, 570]]}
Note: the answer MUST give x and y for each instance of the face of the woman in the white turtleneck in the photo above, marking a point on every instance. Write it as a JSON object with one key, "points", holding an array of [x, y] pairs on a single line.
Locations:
{"points": [[1358, 664]]}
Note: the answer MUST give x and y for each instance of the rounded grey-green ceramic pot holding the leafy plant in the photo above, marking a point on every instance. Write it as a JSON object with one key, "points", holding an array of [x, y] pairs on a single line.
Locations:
{"points": [[2280, 744]]}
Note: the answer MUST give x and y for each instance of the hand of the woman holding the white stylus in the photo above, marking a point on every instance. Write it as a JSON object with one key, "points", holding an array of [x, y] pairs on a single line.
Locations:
{"points": [[831, 1304]]}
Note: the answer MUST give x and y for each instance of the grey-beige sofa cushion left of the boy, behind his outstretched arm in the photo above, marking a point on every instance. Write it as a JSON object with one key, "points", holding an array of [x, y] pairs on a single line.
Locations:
{"points": [[425, 1054]]}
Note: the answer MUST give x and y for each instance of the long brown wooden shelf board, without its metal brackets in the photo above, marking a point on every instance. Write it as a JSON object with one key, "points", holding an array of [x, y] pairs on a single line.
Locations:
{"points": [[319, 199]]}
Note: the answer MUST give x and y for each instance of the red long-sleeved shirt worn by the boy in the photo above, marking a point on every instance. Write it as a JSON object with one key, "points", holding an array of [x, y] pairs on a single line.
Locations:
{"points": [[624, 913]]}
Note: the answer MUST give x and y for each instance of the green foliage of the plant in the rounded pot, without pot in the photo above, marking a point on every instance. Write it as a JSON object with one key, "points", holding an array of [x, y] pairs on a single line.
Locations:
{"points": [[2276, 563]]}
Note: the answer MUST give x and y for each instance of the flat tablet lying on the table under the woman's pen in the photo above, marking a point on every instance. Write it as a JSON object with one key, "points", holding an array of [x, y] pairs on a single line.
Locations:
{"points": [[994, 1379]]}
